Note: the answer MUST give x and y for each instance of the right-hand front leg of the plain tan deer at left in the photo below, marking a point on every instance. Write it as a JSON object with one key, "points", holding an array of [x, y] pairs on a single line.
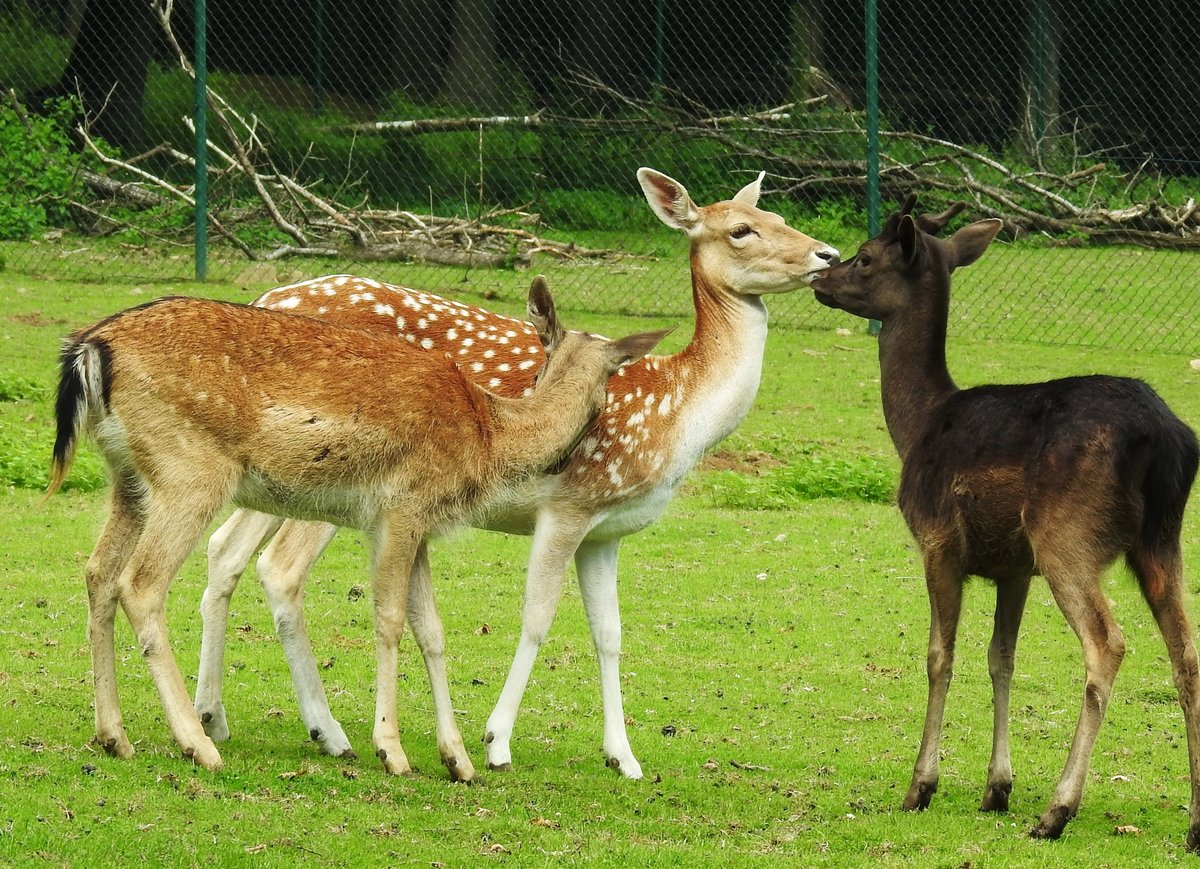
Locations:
{"points": [[431, 639]]}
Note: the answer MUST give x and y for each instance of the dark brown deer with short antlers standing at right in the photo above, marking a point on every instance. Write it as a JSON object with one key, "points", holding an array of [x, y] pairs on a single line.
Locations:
{"points": [[1006, 482]]}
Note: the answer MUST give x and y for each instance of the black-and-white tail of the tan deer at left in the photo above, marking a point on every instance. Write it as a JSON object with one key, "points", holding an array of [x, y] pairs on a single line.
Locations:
{"points": [[83, 392]]}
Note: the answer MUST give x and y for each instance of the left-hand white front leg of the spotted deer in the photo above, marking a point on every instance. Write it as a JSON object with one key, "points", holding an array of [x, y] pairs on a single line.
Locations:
{"points": [[555, 540]]}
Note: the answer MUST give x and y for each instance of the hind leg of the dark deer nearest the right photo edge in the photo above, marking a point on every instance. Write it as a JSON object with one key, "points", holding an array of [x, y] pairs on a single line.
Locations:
{"points": [[1162, 584]]}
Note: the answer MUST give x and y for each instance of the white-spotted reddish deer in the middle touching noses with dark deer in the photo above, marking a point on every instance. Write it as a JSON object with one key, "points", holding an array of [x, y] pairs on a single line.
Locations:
{"points": [[662, 415]]}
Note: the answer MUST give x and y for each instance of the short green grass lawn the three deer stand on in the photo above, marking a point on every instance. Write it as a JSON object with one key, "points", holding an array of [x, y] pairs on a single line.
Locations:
{"points": [[773, 664]]}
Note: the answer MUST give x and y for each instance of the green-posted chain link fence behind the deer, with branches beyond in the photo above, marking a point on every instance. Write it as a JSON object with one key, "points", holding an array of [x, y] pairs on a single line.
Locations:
{"points": [[441, 145]]}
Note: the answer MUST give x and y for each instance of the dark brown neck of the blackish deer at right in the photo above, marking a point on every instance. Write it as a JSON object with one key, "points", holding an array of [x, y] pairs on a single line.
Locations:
{"points": [[914, 376]]}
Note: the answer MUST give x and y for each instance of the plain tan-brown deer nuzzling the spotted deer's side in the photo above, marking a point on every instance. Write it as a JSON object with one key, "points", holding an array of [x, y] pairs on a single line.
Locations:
{"points": [[197, 403]]}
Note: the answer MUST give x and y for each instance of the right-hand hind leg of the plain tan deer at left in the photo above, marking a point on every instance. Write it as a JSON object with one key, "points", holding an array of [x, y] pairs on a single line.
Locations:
{"points": [[173, 524]]}
